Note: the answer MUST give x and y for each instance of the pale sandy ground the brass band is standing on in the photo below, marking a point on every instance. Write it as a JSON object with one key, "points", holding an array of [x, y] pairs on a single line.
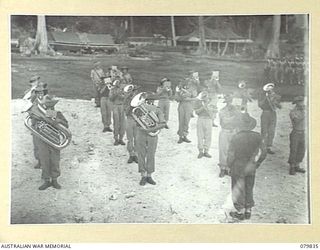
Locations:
{"points": [[188, 189]]}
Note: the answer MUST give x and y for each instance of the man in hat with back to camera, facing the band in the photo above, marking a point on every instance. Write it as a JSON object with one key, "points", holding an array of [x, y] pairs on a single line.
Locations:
{"points": [[243, 149]]}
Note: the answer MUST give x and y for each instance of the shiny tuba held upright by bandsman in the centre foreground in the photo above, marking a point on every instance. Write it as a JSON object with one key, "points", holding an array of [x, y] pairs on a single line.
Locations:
{"points": [[144, 117]]}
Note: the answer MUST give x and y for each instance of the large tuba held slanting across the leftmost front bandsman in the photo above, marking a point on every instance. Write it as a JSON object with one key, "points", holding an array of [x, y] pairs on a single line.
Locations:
{"points": [[46, 128]]}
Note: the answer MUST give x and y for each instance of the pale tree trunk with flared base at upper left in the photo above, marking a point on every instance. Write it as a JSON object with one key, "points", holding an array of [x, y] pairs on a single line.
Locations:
{"points": [[41, 44]]}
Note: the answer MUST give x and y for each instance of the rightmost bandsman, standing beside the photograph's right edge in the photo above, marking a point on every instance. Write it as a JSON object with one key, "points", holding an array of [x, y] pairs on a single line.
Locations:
{"points": [[297, 136]]}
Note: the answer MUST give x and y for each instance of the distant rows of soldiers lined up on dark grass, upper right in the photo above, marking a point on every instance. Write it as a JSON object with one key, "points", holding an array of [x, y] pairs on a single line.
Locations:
{"points": [[289, 71]]}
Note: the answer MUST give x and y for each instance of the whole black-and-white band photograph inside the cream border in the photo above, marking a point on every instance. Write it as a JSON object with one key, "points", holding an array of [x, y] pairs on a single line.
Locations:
{"points": [[160, 119]]}
